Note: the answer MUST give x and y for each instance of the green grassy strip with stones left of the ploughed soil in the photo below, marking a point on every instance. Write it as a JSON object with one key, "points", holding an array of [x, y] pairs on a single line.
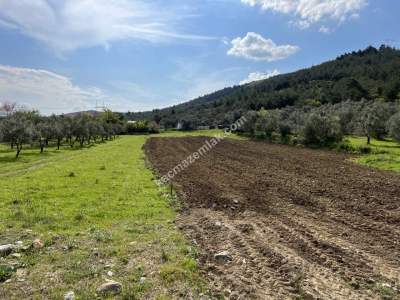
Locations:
{"points": [[97, 210]]}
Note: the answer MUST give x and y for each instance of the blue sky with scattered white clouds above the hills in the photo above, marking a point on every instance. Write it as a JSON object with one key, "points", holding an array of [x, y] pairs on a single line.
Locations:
{"points": [[60, 56]]}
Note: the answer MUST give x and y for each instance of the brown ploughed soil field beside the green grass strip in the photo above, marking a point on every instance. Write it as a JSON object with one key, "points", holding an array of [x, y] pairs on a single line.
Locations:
{"points": [[298, 223]]}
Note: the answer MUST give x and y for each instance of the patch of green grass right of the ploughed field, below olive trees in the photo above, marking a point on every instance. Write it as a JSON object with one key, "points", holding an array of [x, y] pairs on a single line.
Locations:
{"points": [[383, 155]]}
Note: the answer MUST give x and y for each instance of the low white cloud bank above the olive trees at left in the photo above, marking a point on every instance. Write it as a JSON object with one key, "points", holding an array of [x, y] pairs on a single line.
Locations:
{"points": [[50, 92]]}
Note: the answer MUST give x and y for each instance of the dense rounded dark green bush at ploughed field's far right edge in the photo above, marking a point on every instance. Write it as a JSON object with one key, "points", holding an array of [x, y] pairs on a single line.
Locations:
{"points": [[321, 131]]}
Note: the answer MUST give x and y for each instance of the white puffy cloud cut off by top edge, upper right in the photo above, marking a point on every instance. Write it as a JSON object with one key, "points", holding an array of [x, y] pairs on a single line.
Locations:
{"points": [[308, 12]]}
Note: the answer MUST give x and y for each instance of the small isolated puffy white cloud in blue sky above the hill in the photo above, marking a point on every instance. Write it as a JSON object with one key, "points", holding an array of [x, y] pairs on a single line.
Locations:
{"points": [[254, 46]]}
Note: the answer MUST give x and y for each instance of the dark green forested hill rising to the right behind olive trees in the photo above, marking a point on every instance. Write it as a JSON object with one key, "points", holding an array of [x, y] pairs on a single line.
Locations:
{"points": [[371, 74]]}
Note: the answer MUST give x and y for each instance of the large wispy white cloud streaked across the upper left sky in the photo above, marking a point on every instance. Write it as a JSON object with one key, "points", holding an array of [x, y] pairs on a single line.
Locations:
{"points": [[66, 25]]}
